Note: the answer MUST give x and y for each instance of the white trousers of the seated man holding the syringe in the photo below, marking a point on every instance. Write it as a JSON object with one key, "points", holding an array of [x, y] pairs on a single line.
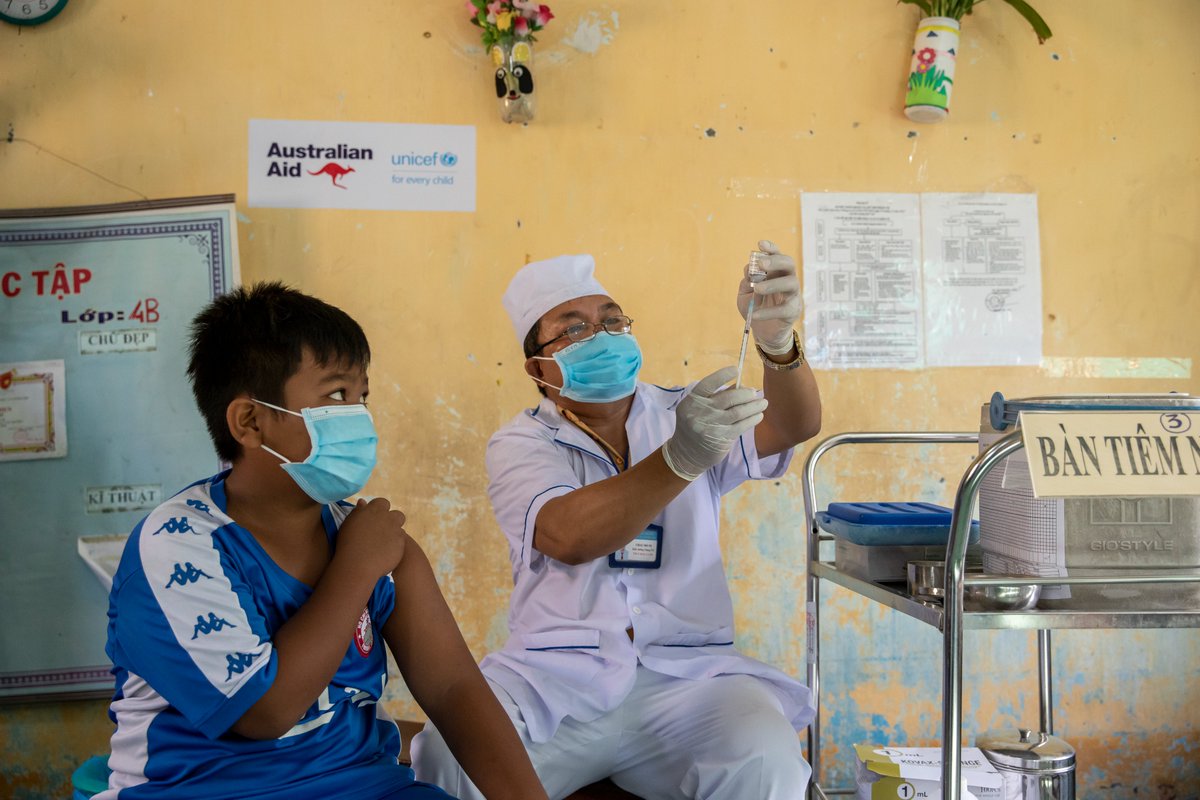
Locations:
{"points": [[673, 739]]}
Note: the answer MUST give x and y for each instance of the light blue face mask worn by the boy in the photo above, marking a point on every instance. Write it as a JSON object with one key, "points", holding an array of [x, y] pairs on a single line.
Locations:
{"points": [[344, 452]]}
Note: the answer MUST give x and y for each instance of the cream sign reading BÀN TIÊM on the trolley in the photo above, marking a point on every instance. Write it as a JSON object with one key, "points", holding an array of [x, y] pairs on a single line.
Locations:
{"points": [[1115, 454]]}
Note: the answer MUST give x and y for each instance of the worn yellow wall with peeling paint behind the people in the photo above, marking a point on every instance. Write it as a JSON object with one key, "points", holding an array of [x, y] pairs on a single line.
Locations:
{"points": [[1102, 123]]}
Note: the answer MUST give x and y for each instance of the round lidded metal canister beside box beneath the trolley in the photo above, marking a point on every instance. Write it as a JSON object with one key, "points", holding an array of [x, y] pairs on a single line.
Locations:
{"points": [[1036, 766]]}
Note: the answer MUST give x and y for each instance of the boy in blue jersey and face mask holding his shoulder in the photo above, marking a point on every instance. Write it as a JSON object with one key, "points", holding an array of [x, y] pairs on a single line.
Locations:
{"points": [[247, 612]]}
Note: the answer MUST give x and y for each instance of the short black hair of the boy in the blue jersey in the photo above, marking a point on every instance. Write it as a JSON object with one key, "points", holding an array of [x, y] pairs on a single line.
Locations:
{"points": [[251, 341]]}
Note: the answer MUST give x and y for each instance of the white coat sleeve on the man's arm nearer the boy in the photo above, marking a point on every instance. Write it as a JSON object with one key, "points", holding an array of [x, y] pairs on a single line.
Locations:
{"points": [[526, 471]]}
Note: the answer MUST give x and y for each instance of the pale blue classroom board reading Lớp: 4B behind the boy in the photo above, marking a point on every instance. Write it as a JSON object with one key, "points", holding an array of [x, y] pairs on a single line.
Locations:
{"points": [[98, 424]]}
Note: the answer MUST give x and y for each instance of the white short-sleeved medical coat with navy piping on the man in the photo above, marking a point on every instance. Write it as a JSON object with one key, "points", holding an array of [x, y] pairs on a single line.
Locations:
{"points": [[568, 652]]}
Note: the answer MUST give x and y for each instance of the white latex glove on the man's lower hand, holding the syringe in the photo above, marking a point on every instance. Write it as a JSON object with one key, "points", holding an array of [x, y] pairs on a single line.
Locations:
{"points": [[709, 422]]}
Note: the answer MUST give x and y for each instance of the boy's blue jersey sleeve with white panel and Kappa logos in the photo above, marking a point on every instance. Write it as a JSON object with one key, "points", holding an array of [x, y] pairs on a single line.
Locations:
{"points": [[187, 623]]}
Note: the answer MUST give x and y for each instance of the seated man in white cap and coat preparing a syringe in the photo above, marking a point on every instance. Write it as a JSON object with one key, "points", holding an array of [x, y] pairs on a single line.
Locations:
{"points": [[621, 660]]}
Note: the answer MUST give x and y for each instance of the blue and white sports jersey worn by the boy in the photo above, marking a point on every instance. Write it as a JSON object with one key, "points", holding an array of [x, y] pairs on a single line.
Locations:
{"points": [[195, 606]]}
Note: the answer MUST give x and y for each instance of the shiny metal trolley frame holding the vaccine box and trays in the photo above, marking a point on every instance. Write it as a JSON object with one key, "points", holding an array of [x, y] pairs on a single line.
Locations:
{"points": [[950, 617]]}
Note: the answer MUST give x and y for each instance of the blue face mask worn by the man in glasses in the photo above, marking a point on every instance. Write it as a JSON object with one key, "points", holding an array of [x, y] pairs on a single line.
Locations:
{"points": [[601, 370]]}
